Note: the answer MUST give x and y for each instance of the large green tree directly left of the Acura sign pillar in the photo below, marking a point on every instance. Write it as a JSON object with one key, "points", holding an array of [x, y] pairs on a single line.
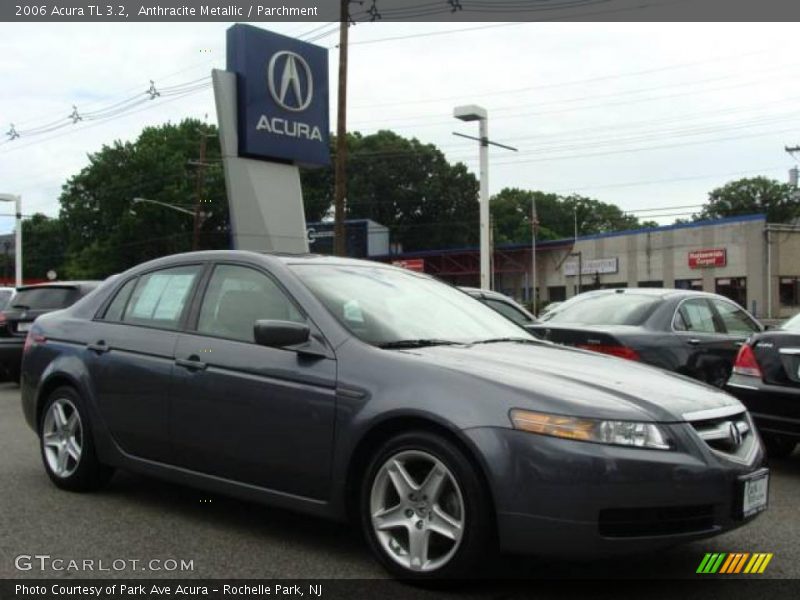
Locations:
{"points": [[107, 233]]}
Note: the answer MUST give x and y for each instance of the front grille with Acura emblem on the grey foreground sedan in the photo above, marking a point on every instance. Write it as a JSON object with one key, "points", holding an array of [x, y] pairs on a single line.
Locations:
{"points": [[729, 435]]}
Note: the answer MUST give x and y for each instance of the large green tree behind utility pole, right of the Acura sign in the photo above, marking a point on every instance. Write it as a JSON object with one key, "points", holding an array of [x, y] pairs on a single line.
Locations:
{"points": [[405, 185]]}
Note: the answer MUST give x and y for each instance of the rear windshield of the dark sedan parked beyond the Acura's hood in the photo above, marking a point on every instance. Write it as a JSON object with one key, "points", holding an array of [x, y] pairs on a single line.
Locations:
{"points": [[607, 309]]}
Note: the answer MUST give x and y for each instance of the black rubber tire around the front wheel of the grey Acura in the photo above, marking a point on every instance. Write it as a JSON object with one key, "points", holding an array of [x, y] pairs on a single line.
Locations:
{"points": [[476, 548]]}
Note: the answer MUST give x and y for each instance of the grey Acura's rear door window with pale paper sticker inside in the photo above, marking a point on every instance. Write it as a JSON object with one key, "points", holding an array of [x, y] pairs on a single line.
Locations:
{"points": [[159, 297]]}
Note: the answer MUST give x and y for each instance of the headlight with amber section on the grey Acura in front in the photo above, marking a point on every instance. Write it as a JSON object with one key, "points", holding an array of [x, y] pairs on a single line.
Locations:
{"points": [[619, 433]]}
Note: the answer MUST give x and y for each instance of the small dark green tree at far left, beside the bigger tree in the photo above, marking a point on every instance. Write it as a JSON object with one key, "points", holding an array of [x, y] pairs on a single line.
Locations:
{"points": [[44, 245]]}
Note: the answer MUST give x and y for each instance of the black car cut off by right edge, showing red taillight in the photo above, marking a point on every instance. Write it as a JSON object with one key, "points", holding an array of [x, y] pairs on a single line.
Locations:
{"points": [[766, 377]]}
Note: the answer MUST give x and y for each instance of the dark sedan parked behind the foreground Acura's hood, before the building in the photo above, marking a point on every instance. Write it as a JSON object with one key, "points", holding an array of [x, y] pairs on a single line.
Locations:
{"points": [[692, 333]]}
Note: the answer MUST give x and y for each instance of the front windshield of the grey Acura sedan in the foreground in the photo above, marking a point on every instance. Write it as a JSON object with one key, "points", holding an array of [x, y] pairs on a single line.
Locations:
{"points": [[385, 306]]}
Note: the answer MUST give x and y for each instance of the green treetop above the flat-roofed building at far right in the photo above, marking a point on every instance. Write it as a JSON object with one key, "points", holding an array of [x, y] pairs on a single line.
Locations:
{"points": [[752, 195]]}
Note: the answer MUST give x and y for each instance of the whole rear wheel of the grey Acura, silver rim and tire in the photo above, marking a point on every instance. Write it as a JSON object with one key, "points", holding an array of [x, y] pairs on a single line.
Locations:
{"points": [[67, 445]]}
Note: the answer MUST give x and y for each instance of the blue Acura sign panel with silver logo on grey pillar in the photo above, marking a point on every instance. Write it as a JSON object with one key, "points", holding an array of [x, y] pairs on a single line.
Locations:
{"points": [[282, 95]]}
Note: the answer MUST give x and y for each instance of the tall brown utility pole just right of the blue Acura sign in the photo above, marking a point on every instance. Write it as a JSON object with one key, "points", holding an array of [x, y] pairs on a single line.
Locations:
{"points": [[340, 187]]}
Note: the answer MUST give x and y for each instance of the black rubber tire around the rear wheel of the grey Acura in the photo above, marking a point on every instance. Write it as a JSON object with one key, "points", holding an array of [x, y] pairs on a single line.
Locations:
{"points": [[81, 475]]}
